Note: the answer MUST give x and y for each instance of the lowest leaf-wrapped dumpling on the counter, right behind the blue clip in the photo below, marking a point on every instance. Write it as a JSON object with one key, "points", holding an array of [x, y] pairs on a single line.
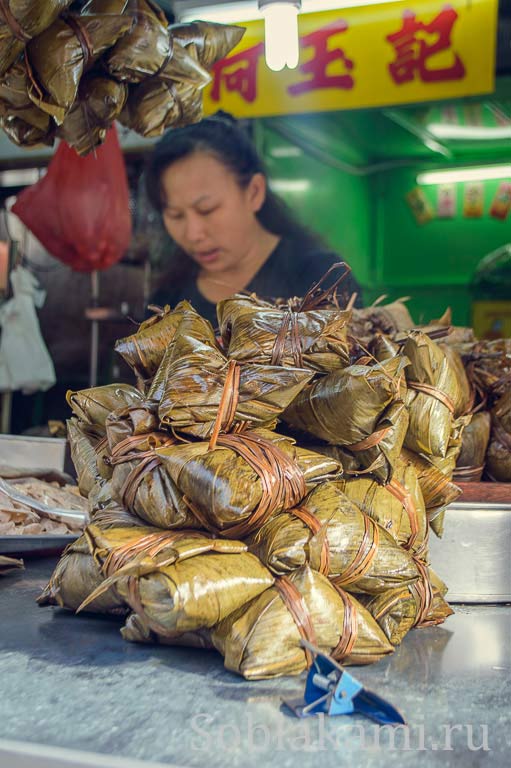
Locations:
{"points": [[262, 639]]}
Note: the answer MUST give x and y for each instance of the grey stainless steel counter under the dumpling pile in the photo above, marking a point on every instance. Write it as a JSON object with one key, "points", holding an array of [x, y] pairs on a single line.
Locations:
{"points": [[71, 681]]}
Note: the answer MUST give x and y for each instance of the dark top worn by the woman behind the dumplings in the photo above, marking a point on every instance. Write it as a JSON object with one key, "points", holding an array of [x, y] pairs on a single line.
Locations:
{"points": [[289, 271]]}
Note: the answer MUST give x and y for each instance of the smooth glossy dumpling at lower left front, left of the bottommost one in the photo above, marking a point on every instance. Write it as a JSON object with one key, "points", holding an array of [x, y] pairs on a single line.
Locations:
{"points": [[195, 593]]}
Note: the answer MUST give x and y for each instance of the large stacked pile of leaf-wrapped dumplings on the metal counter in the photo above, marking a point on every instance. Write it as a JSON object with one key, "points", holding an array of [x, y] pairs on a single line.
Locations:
{"points": [[272, 484]]}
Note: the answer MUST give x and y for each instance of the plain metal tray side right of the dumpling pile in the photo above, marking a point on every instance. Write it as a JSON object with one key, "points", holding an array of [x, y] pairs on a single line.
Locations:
{"points": [[473, 557]]}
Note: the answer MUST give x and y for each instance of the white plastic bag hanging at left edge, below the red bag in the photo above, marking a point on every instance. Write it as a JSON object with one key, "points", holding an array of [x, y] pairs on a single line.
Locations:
{"points": [[24, 360]]}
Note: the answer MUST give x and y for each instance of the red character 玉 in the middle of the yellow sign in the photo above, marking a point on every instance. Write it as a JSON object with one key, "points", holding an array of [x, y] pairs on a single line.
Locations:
{"points": [[317, 68]]}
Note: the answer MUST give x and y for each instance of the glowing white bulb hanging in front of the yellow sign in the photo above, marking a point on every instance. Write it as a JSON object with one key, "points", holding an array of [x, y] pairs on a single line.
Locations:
{"points": [[281, 43]]}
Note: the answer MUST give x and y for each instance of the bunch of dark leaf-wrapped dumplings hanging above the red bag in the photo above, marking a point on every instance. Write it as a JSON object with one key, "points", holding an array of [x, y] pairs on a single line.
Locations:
{"points": [[70, 68]]}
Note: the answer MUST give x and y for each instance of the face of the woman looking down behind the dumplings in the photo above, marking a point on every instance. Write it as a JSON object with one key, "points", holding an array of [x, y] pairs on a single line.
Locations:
{"points": [[208, 214]]}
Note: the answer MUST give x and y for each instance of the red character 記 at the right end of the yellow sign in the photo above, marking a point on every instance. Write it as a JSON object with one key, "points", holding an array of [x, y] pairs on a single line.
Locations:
{"points": [[413, 51]]}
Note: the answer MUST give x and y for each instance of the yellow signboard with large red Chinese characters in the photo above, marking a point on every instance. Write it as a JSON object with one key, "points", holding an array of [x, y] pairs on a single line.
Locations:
{"points": [[393, 53]]}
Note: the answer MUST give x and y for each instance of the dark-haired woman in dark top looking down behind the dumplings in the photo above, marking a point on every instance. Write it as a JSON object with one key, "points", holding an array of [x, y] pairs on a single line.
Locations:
{"points": [[233, 234]]}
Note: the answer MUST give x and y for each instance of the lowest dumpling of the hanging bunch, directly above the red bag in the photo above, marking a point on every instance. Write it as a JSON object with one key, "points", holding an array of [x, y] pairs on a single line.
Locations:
{"points": [[99, 102]]}
